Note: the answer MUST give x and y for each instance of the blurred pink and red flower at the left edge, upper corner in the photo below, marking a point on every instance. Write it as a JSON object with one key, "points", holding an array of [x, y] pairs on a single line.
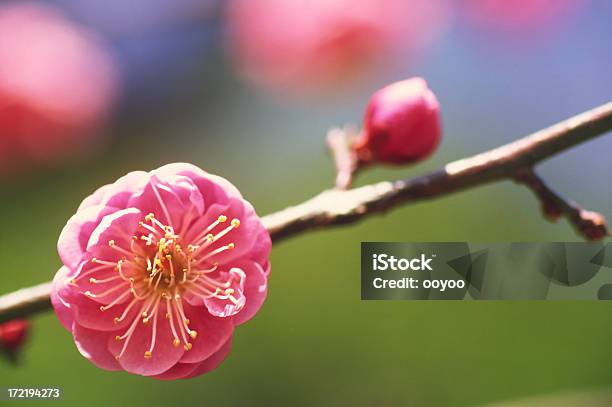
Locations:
{"points": [[57, 83]]}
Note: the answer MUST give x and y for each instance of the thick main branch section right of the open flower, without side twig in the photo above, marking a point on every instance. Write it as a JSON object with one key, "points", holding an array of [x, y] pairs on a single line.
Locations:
{"points": [[338, 207]]}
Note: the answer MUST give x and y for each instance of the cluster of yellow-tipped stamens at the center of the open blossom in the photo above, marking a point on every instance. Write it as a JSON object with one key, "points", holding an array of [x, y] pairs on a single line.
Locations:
{"points": [[158, 269]]}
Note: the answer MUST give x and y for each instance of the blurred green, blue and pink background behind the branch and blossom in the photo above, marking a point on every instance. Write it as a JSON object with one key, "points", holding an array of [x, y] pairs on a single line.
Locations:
{"points": [[251, 98]]}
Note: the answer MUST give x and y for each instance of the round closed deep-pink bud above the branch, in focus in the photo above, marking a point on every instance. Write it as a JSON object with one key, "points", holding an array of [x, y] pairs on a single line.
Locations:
{"points": [[401, 125]]}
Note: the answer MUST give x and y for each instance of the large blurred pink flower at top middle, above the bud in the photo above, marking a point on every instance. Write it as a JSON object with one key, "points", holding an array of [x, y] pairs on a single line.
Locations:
{"points": [[301, 46]]}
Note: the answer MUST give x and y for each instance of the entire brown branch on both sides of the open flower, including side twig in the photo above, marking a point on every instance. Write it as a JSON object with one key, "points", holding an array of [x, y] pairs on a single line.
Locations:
{"points": [[335, 207]]}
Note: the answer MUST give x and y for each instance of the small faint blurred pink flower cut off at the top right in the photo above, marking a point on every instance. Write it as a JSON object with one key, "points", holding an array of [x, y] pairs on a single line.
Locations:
{"points": [[519, 17]]}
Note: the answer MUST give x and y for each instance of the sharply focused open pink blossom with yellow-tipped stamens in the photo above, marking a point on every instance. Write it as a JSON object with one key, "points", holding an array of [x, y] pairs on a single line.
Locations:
{"points": [[158, 269]]}
